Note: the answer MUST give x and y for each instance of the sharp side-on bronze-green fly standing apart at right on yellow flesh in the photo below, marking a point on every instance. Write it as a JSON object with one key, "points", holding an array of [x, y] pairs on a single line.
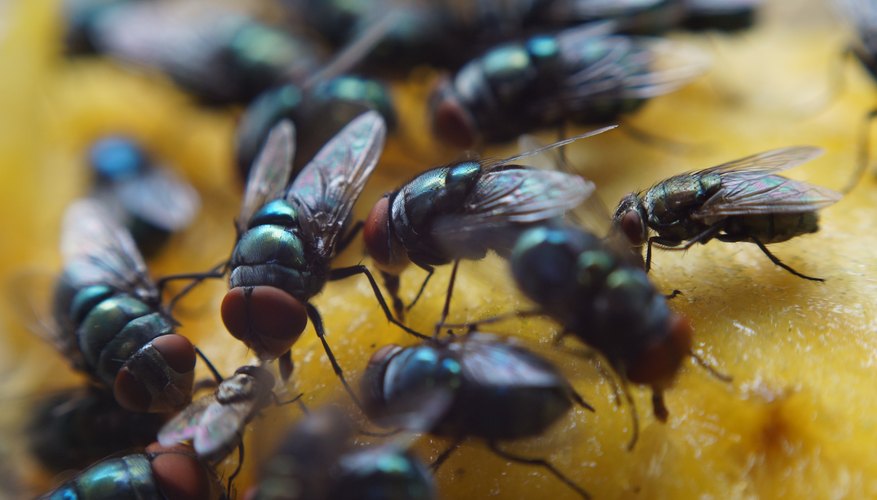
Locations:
{"points": [[742, 200]]}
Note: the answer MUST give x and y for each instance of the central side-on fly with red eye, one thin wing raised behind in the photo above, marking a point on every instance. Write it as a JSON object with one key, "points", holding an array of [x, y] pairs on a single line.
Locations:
{"points": [[461, 211]]}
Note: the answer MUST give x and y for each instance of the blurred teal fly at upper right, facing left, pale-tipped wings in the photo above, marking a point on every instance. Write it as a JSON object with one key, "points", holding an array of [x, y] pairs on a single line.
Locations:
{"points": [[583, 75]]}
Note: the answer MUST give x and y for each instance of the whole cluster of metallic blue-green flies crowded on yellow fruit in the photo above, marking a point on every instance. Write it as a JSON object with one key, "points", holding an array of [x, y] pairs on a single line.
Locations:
{"points": [[312, 134]]}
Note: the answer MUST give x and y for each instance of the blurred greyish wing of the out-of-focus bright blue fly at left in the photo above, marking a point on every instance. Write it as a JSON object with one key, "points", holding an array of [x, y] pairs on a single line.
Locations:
{"points": [[160, 198]]}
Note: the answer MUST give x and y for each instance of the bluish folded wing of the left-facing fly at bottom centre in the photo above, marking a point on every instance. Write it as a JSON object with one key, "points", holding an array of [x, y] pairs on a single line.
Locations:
{"points": [[490, 361]]}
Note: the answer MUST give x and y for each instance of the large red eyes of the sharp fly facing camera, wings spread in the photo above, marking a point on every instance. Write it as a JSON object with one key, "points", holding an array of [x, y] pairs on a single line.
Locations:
{"points": [[266, 319]]}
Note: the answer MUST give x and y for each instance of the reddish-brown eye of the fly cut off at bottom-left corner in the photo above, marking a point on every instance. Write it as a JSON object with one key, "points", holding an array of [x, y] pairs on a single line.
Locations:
{"points": [[178, 473]]}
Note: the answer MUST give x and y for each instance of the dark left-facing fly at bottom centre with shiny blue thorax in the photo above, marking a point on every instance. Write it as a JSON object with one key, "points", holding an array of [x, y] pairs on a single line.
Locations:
{"points": [[472, 386]]}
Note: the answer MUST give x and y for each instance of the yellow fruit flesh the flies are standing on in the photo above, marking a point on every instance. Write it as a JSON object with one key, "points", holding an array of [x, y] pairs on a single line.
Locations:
{"points": [[798, 420]]}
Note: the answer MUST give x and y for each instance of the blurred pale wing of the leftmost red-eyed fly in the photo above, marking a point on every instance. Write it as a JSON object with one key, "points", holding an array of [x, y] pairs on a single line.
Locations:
{"points": [[98, 250]]}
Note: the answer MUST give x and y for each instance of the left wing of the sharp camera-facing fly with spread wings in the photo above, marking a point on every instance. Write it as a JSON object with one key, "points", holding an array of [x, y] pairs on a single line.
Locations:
{"points": [[270, 173]]}
